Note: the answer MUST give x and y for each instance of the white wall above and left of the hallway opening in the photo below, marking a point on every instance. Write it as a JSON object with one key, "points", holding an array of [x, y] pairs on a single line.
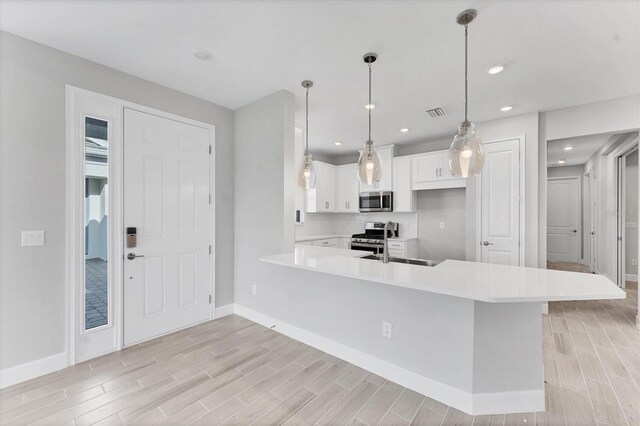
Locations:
{"points": [[614, 115]]}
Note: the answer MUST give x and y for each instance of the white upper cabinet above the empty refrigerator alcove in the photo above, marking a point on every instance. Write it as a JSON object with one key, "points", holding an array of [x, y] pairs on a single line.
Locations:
{"points": [[431, 171]]}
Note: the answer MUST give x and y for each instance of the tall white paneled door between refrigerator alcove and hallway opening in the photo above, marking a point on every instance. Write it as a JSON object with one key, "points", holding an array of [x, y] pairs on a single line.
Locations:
{"points": [[500, 201]]}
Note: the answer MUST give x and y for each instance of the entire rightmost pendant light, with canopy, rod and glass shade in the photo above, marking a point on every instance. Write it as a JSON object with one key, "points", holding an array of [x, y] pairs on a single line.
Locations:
{"points": [[466, 156]]}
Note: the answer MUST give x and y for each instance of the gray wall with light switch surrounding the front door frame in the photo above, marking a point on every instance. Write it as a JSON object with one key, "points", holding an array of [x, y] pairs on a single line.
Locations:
{"points": [[32, 185]]}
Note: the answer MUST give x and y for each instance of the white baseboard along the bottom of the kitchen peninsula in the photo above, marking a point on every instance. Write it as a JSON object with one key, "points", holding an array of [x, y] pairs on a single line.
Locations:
{"points": [[475, 404]]}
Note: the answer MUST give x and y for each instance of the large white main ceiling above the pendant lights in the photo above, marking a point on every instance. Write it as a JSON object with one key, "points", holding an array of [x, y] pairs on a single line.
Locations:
{"points": [[555, 53]]}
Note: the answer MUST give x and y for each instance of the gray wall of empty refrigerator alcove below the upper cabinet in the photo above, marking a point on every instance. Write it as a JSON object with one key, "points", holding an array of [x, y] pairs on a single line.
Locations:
{"points": [[436, 206]]}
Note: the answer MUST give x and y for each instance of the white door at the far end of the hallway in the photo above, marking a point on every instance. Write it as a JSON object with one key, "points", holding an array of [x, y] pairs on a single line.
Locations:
{"points": [[563, 219]]}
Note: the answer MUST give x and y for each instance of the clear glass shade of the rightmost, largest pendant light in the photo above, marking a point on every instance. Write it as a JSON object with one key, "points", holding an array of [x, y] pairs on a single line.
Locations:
{"points": [[466, 156]]}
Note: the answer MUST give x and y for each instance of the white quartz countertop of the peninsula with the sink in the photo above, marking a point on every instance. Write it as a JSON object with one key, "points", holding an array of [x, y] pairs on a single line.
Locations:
{"points": [[470, 280]]}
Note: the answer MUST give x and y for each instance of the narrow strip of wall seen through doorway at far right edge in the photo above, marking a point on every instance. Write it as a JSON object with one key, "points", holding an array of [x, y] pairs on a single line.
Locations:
{"points": [[631, 232]]}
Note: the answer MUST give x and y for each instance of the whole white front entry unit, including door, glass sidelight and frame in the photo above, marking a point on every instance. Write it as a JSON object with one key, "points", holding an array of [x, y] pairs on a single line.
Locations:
{"points": [[130, 167]]}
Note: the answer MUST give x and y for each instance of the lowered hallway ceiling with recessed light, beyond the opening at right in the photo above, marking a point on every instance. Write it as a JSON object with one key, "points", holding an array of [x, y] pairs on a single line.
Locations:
{"points": [[583, 148]]}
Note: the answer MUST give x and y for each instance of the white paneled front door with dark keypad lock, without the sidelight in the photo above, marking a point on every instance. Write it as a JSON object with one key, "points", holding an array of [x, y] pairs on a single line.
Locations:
{"points": [[166, 198]]}
